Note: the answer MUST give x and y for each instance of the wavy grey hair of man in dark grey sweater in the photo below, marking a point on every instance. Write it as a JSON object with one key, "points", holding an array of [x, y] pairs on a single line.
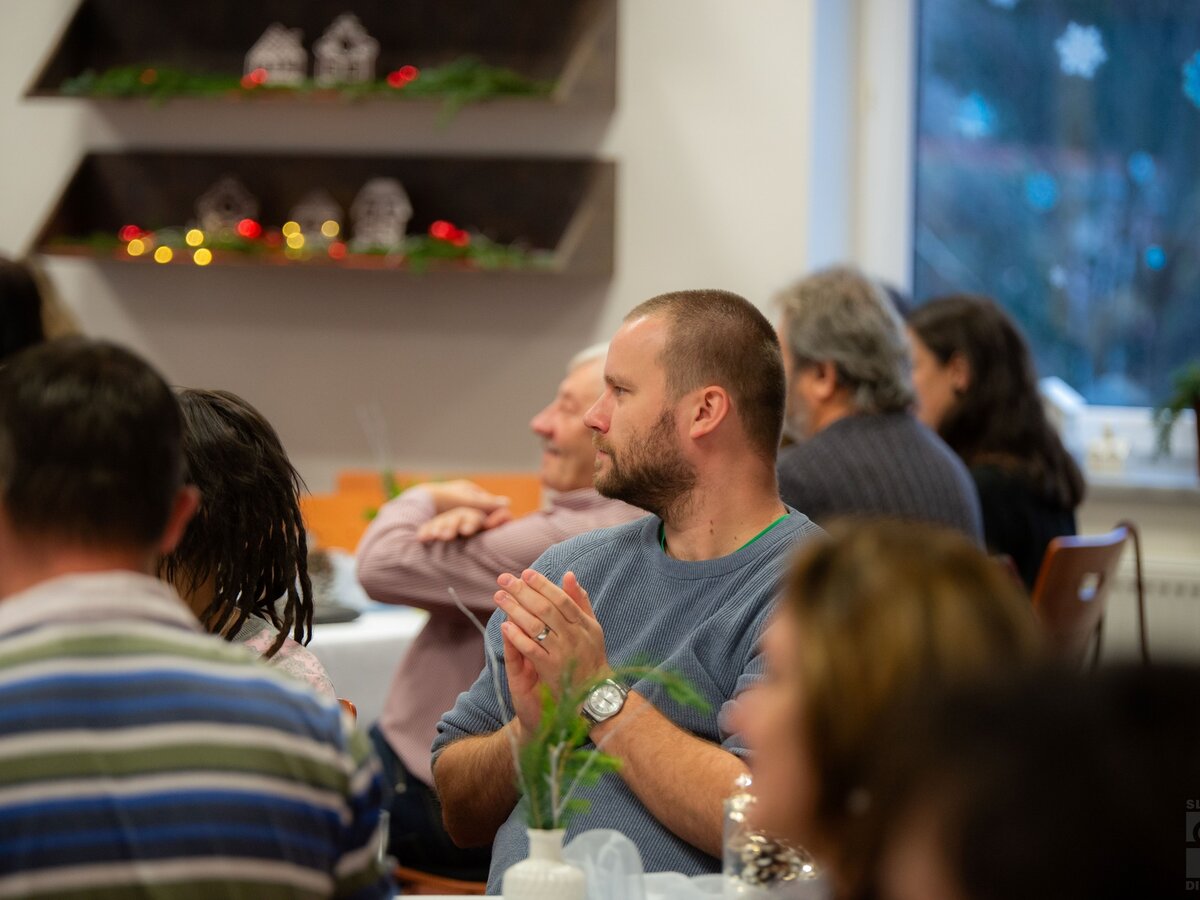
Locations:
{"points": [[843, 317]]}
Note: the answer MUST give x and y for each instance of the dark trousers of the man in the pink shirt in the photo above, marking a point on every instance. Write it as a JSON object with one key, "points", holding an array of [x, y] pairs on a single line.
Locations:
{"points": [[417, 837]]}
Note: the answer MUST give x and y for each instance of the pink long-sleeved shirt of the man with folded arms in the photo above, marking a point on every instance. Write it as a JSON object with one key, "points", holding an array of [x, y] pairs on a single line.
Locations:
{"points": [[448, 655]]}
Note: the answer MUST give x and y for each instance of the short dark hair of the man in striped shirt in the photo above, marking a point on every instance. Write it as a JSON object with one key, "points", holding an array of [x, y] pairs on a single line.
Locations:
{"points": [[91, 448]]}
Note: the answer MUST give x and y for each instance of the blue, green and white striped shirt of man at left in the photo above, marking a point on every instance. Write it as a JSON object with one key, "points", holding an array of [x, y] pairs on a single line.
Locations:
{"points": [[141, 758]]}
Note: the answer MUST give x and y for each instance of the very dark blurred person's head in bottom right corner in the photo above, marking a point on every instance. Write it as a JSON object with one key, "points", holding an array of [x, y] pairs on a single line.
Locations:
{"points": [[1049, 787]]}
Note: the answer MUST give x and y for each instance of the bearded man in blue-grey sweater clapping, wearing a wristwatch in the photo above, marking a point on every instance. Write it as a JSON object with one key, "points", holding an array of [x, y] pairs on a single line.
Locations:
{"points": [[687, 429]]}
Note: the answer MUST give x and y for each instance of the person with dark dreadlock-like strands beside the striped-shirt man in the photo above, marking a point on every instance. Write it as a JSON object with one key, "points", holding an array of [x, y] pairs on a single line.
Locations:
{"points": [[243, 565]]}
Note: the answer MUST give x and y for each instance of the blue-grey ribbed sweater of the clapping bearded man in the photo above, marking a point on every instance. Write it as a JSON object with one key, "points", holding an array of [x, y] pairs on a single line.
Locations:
{"points": [[701, 620]]}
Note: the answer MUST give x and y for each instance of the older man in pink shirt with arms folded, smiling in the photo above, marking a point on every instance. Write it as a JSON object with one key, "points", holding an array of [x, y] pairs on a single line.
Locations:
{"points": [[455, 535]]}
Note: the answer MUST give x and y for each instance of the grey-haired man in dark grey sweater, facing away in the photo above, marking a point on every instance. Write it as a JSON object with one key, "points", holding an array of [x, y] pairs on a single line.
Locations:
{"points": [[859, 449]]}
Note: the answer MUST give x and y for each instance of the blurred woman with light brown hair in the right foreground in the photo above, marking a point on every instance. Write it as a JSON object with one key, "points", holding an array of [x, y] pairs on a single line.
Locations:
{"points": [[872, 616]]}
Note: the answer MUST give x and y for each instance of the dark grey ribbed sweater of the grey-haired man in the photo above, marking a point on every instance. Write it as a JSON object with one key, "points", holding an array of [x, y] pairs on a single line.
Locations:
{"points": [[887, 465]]}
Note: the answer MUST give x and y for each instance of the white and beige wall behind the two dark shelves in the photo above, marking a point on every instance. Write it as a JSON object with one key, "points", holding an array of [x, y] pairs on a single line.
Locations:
{"points": [[712, 136]]}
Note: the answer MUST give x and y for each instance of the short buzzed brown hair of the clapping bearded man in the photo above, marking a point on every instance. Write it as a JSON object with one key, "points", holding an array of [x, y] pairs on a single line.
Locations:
{"points": [[719, 338]]}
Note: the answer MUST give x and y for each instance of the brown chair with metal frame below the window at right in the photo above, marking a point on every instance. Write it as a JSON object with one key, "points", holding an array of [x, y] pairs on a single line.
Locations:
{"points": [[1071, 593]]}
